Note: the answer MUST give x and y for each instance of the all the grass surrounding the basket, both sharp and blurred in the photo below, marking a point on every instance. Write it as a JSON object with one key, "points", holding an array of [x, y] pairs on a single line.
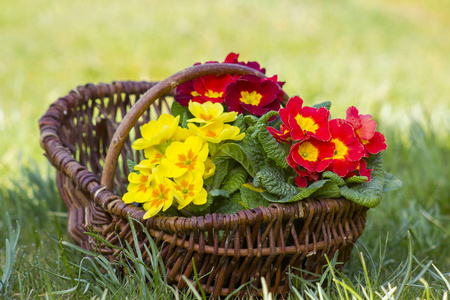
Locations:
{"points": [[388, 58]]}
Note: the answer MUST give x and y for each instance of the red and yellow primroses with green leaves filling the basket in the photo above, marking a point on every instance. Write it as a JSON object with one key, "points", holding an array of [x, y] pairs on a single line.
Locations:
{"points": [[232, 143]]}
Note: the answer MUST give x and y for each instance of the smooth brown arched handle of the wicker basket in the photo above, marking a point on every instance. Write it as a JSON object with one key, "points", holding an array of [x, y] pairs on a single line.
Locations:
{"points": [[154, 93]]}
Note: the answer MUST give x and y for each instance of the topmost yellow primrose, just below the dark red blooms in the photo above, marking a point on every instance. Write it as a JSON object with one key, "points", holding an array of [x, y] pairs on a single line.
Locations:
{"points": [[210, 112]]}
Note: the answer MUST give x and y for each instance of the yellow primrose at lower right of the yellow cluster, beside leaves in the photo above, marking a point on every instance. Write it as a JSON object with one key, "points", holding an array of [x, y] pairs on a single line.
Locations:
{"points": [[189, 188]]}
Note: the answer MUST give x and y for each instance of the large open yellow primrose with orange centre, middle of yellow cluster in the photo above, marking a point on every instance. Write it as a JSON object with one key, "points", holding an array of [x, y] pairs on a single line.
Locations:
{"points": [[182, 157]]}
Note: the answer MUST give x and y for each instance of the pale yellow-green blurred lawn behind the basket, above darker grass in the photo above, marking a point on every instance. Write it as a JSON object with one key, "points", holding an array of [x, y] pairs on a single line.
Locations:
{"points": [[388, 58]]}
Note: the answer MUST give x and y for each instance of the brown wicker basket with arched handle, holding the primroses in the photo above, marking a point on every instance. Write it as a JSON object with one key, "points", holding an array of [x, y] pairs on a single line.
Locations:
{"points": [[86, 135]]}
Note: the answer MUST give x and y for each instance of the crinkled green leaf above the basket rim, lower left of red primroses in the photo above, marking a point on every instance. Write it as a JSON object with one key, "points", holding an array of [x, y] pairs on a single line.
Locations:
{"points": [[273, 180]]}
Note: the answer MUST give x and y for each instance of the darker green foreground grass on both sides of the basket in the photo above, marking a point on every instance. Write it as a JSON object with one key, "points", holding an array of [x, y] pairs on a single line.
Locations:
{"points": [[403, 250]]}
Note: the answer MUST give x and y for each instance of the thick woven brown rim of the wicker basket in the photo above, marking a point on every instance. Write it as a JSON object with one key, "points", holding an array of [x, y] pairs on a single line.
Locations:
{"points": [[61, 158]]}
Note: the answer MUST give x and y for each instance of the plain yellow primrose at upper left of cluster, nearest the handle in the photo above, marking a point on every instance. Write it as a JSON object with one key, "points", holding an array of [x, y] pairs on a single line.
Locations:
{"points": [[156, 132]]}
